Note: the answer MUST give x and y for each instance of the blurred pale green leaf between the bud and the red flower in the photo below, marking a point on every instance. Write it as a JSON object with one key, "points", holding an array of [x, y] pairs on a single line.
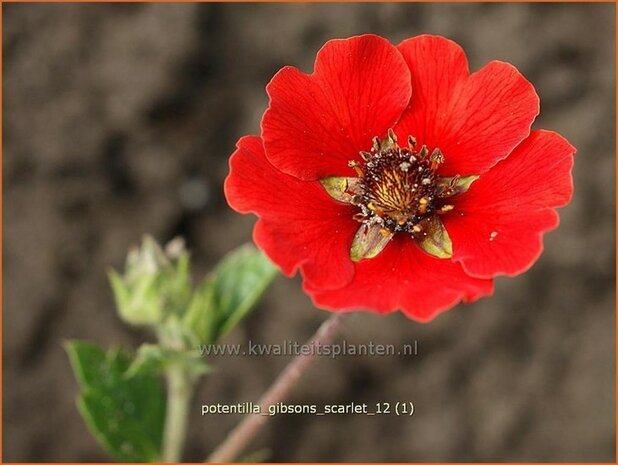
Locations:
{"points": [[229, 293]]}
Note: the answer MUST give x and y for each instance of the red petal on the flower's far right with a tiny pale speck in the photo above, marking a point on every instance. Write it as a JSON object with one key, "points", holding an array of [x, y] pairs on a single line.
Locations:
{"points": [[497, 225]]}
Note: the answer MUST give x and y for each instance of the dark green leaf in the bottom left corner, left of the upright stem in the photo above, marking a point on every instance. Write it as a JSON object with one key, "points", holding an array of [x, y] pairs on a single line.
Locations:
{"points": [[125, 415]]}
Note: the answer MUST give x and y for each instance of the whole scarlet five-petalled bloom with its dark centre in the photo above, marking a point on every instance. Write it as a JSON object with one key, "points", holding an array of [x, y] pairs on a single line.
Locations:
{"points": [[394, 179]]}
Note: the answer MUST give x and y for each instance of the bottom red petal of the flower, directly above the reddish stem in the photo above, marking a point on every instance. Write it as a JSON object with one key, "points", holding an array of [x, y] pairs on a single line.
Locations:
{"points": [[404, 277]]}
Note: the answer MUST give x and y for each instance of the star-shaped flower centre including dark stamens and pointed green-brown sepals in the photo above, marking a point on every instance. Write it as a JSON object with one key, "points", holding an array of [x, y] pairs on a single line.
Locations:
{"points": [[398, 189]]}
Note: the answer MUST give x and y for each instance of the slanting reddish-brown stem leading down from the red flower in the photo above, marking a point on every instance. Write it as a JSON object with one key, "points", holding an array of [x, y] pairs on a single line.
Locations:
{"points": [[240, 436]]}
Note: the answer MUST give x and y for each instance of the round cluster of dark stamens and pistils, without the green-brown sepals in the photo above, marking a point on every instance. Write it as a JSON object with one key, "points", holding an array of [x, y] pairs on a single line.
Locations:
{"points": [[398, 186]]}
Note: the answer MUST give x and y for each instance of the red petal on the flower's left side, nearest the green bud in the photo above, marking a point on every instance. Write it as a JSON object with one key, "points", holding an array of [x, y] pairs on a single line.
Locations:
{"points": [[300, 225]]}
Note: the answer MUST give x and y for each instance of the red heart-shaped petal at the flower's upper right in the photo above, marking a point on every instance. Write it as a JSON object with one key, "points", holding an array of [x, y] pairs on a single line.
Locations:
{"points": [[476, 120]]}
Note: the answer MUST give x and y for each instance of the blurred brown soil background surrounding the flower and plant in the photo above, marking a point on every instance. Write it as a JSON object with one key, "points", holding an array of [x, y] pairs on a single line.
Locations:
{"points": [[119, 121]]}
